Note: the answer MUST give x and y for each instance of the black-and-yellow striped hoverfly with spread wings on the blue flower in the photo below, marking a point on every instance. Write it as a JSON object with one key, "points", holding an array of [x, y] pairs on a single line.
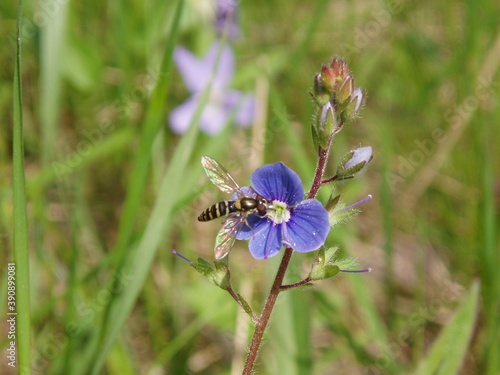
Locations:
{"points": [[236, 211]]}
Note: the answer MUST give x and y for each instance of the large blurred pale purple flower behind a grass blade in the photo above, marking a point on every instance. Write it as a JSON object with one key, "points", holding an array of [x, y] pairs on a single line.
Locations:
{"points": [[222, 101]]}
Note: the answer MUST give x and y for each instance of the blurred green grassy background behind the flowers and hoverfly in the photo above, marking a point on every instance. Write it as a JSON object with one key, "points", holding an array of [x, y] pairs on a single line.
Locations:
{"points": [[111, 190]]}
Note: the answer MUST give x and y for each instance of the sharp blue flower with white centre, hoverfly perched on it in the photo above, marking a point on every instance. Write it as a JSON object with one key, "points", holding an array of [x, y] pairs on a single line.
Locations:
{"points": [[291, 221]]}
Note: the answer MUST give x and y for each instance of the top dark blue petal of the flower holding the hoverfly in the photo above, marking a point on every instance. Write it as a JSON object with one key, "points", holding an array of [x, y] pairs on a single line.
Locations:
{"points": [[277, 181]]}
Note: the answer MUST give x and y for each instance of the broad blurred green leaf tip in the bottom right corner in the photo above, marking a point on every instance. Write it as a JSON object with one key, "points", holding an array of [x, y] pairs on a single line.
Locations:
{"points": [[448, 352]]}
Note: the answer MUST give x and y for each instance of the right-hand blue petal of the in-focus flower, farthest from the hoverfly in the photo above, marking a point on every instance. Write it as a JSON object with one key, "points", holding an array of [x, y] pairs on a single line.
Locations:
{"points": [[308, 226]]}
